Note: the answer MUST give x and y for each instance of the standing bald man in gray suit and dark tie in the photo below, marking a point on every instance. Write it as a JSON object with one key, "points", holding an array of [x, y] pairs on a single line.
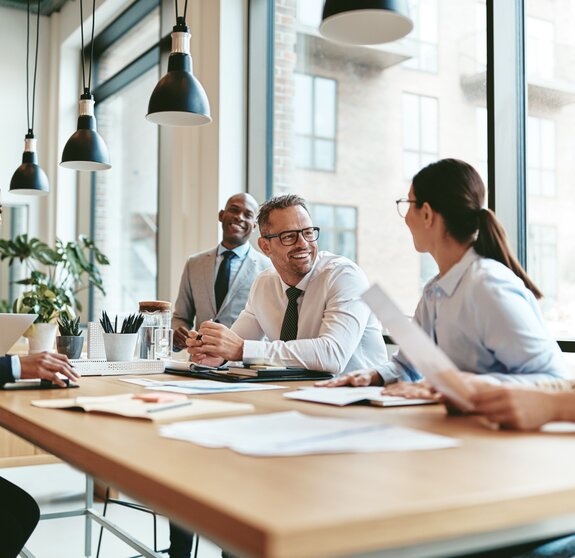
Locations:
{"points": [[215, 284]]}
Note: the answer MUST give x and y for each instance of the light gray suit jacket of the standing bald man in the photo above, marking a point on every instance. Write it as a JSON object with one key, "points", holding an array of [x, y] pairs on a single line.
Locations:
{"points": [[196, 297]]}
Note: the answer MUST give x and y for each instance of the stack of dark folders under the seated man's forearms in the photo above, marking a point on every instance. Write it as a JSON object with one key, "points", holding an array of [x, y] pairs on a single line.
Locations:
{"points": [[244, 374]]}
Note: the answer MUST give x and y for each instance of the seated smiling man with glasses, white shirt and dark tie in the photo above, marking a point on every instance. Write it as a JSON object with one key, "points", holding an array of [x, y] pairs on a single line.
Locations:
{"points": [[306, 311]]}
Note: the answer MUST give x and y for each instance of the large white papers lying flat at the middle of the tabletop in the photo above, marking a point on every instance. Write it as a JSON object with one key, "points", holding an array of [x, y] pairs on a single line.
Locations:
{"points": [[293, 433]]}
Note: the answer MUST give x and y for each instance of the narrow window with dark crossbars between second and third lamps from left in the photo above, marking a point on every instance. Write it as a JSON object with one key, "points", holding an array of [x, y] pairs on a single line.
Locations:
{"points": [[125, 198]]}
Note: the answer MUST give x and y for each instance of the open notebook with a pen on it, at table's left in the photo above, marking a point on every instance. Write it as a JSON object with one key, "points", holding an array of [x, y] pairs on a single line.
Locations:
{"points": [[124, 405]]}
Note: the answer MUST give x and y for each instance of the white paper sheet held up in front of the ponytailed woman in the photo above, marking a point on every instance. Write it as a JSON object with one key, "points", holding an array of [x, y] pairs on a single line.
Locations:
{"points": [[422, 352]]}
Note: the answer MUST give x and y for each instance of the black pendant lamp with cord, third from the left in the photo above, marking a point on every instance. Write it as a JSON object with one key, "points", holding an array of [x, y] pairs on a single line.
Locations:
{"points": [[179, 98]]}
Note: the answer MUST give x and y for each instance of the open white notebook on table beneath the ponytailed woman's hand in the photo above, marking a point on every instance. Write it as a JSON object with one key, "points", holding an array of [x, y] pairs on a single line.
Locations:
{"points": [[347, 395]]}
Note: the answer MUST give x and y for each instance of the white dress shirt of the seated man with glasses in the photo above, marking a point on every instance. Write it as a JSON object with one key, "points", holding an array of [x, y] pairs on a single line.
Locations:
{"points": [[336, 331]]}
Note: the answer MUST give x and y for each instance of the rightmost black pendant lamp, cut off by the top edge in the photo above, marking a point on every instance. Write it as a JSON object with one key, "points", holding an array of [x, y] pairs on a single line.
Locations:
{"points": [[365, 22]]}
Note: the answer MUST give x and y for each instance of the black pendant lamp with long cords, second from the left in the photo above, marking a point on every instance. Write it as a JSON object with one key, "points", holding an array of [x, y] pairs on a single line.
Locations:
{"points": [[86, 150]]}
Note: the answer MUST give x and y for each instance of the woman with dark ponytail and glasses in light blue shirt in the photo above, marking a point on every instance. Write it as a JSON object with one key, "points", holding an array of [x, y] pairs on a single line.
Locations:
{"points": [[481, 308]]}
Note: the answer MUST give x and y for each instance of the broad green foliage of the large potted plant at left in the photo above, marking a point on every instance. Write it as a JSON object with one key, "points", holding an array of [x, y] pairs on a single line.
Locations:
{"points": [[56, 275]]}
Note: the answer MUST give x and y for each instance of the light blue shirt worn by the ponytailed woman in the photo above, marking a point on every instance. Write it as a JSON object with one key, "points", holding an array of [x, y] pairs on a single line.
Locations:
{"points": [[485, 319]]}
